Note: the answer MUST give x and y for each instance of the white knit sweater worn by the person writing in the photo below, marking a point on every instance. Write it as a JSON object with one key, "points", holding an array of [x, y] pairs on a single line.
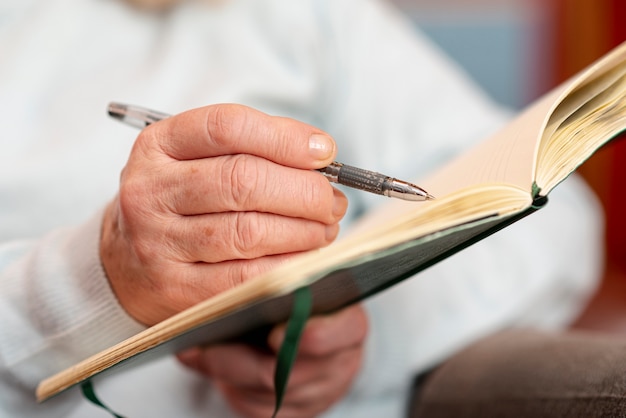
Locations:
{"points": [[352, 67]]}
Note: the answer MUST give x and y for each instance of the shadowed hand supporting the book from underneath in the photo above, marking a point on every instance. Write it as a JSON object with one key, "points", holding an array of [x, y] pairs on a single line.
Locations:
{"points": [[329, 357]]}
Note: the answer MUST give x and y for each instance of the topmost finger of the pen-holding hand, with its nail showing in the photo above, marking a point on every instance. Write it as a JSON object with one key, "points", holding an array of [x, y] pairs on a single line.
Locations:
{"points": [[226, 129]]}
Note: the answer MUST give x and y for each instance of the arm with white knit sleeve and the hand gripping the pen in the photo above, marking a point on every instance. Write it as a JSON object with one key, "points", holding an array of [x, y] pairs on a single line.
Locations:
{"points": [[56, 298]]}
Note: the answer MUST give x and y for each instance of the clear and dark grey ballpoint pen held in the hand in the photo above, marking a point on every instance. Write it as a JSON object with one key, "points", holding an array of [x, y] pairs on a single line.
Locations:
{"points": [[347, 175]]}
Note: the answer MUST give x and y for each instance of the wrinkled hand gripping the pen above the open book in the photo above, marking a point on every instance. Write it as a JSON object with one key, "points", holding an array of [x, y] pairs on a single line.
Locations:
{"points": [[211, 198]]}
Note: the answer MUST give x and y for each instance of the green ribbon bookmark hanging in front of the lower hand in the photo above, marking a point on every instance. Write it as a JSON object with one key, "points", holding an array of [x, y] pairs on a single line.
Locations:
{"points": [[302, 304]]}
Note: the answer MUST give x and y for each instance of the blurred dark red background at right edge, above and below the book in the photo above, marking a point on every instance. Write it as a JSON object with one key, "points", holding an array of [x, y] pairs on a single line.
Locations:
{"points": [[585, 30]]}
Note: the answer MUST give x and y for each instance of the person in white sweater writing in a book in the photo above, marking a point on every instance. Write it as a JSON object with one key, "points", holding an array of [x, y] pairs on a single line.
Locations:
{"points": [[214, 195]]}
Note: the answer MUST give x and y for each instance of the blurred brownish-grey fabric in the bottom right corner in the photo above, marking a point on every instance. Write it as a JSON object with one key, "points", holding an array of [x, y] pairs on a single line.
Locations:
{"points": [[524, 373]]}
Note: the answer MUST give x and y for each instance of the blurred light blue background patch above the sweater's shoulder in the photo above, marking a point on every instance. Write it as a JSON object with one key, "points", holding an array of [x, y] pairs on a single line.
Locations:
{"points": [[505, 45]]}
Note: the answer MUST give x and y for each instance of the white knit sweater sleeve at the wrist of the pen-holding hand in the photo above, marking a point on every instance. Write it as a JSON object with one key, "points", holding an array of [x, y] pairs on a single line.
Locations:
{"points": [[56, 308]]}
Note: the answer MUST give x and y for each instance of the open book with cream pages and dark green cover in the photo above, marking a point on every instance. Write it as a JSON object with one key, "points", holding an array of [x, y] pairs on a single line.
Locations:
{"points": [[503, 179]]}
